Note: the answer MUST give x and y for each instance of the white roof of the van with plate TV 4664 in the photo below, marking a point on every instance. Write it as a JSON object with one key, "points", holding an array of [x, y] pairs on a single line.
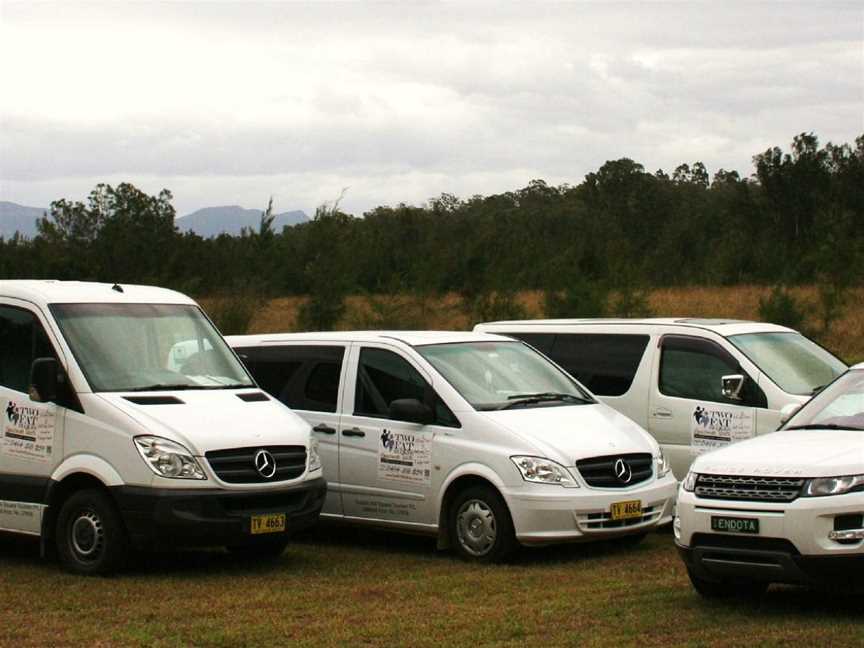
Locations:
{"points": [[411, 338]]}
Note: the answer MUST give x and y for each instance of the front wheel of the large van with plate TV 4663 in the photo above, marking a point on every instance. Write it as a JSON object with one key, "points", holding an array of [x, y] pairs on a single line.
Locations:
{"points": [[90, 536]]}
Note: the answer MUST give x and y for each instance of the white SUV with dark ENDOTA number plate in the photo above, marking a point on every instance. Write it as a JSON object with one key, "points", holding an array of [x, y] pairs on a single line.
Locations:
{"points": [[787, 507]]}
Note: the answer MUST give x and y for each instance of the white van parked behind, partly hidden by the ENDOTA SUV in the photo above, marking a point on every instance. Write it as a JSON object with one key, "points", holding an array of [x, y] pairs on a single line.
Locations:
{"points": [[695, 384]]}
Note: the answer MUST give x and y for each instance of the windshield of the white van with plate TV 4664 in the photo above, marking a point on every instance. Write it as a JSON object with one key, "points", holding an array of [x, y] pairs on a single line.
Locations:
{"points": [[503, 375]]}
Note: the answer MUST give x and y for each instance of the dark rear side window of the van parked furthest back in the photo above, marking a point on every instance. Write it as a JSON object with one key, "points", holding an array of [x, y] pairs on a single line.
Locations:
{"points": [[605, 364]]}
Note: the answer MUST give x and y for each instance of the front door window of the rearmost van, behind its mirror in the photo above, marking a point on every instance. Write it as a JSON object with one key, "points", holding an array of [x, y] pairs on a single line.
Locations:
{"points": [[692, 368]]}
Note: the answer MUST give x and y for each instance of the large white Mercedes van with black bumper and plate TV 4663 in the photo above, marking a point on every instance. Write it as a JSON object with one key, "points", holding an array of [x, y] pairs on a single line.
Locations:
{"points": [[108, 442]]}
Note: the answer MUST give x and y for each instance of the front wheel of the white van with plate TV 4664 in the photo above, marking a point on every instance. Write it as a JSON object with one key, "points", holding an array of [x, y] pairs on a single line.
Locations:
{"points": [[480, 526]]}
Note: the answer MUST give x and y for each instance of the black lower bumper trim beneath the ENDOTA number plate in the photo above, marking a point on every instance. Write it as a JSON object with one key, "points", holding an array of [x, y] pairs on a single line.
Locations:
{"points": [[748, 565]]}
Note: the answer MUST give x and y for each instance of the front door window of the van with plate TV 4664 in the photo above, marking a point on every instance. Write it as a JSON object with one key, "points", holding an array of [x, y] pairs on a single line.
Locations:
{"points": [[384, 376]]}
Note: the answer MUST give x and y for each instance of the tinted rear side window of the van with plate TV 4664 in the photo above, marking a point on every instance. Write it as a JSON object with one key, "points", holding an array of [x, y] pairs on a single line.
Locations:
{"points": [[302, 377]]}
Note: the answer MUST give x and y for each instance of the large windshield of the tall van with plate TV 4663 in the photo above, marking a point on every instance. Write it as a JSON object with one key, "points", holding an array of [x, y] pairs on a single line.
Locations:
{"points": [[148, 347]]}
